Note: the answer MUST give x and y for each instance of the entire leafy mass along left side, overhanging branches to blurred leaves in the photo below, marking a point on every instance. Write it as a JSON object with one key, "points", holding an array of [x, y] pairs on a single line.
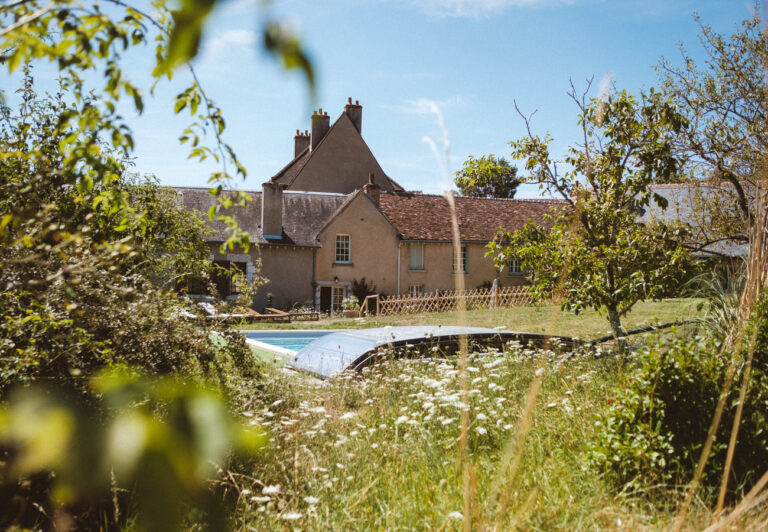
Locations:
{"points": [[89, 257]]}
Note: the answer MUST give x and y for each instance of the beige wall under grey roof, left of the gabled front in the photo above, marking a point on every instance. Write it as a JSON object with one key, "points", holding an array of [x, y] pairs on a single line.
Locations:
{"points": [[288, 271]]}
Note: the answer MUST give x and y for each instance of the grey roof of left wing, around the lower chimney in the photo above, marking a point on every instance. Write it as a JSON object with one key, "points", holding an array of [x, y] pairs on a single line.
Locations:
{"points": [[304, 213]]}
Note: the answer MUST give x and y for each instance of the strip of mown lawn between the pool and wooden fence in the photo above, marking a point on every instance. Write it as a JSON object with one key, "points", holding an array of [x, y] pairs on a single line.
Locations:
{"points": [[540, 319]]}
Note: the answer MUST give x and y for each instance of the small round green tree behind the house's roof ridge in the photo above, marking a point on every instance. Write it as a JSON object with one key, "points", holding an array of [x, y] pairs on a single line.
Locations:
{"points": [[487, 177]]}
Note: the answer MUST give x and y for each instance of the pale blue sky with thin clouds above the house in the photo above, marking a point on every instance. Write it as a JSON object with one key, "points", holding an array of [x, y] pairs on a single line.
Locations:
{"points": [[438, 79]]}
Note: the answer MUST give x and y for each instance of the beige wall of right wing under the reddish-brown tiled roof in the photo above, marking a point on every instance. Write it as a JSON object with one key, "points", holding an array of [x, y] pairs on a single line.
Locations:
{"points": [[438, 269]]}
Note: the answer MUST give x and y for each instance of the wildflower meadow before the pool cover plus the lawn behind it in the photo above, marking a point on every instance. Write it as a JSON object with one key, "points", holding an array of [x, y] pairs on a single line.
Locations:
{"points": [[383, 450]]}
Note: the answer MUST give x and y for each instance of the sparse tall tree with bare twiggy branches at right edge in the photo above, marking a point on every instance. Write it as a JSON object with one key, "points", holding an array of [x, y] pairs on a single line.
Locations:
{"points": [[723, 101]]}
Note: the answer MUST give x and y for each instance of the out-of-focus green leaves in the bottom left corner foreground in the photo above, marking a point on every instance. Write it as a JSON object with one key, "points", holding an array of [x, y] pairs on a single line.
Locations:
{"points": [[159, 440]]}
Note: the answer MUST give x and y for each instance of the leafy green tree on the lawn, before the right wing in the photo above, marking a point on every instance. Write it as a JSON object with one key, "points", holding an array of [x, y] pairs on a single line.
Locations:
{"points": [[595, 253]]}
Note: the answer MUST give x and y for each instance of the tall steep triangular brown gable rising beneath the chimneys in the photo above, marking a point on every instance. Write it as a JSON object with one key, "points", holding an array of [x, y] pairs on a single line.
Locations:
{"points": [[344, 148]]}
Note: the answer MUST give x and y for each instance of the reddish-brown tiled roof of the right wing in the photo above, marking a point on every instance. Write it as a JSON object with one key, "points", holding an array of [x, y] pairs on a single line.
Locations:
{"points": [[427, 217]]}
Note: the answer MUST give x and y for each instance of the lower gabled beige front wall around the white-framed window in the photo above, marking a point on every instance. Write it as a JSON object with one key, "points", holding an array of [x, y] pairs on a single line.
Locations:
{"points": [[373, 248]]}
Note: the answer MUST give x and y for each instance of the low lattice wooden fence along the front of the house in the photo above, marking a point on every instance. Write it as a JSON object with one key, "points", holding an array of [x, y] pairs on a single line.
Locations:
{"points": [[447, 301]]}
